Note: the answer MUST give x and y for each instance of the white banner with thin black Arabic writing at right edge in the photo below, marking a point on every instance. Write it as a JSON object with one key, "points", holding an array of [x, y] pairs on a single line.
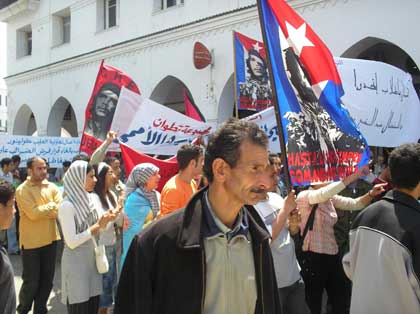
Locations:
{"points": [[382, 101]]}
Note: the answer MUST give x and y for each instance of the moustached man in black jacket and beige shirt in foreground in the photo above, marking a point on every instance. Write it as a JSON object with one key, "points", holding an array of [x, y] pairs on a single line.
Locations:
{"points": [[214, 255]]}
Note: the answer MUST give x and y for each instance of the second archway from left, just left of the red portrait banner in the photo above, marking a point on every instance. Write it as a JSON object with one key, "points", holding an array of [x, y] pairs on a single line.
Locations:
{"points": [[62, 120]]}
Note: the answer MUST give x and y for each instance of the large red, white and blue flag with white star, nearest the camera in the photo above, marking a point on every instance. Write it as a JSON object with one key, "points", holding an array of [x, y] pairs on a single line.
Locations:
{"points": [[323, 143]]}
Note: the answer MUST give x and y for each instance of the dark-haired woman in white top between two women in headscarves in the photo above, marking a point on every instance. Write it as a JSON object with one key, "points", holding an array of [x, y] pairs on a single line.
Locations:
{"points": [[105, 200]]}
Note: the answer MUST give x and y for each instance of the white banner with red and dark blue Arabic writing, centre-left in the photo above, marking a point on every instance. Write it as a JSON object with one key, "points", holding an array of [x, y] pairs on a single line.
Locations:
{"points": [[152, 128]]}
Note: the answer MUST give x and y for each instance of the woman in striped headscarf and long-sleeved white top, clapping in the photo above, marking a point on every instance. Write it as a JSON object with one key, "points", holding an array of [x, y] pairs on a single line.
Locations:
{"points": [[80, 280]]}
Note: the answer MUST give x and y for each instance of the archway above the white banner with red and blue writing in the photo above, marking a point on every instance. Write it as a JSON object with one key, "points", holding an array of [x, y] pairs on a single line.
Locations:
{"points": [[169, 92]]}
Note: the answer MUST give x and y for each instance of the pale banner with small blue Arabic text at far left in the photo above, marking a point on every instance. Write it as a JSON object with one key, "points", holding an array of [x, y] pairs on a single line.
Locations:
{"points": [[55, 150]]}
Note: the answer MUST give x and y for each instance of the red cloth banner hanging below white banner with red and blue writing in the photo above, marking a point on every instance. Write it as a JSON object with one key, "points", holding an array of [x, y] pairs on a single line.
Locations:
{"points": [[168, 168]]}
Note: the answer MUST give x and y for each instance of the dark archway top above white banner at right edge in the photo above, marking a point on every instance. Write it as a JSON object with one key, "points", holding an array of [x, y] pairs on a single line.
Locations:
{"points": [[377, 49]]}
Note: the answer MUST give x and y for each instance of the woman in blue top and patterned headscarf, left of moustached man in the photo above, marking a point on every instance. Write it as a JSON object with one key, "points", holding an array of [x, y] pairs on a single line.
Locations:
{"points": [[142, 200]]}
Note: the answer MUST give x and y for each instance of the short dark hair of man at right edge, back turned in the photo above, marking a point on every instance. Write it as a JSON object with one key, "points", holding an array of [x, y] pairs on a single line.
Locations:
{"points": [[404, 165]]}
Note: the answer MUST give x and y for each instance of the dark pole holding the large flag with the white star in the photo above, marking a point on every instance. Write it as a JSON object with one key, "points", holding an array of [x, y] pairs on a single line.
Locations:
{"points": [[275, 101]]}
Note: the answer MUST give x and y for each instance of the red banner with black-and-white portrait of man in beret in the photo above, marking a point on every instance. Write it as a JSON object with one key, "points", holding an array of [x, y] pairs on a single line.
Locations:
{"points": [[102, 105]]}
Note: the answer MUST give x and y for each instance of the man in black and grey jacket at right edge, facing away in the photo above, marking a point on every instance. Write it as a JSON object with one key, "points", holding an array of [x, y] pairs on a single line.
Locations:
{"points": [[384, 258]]}
